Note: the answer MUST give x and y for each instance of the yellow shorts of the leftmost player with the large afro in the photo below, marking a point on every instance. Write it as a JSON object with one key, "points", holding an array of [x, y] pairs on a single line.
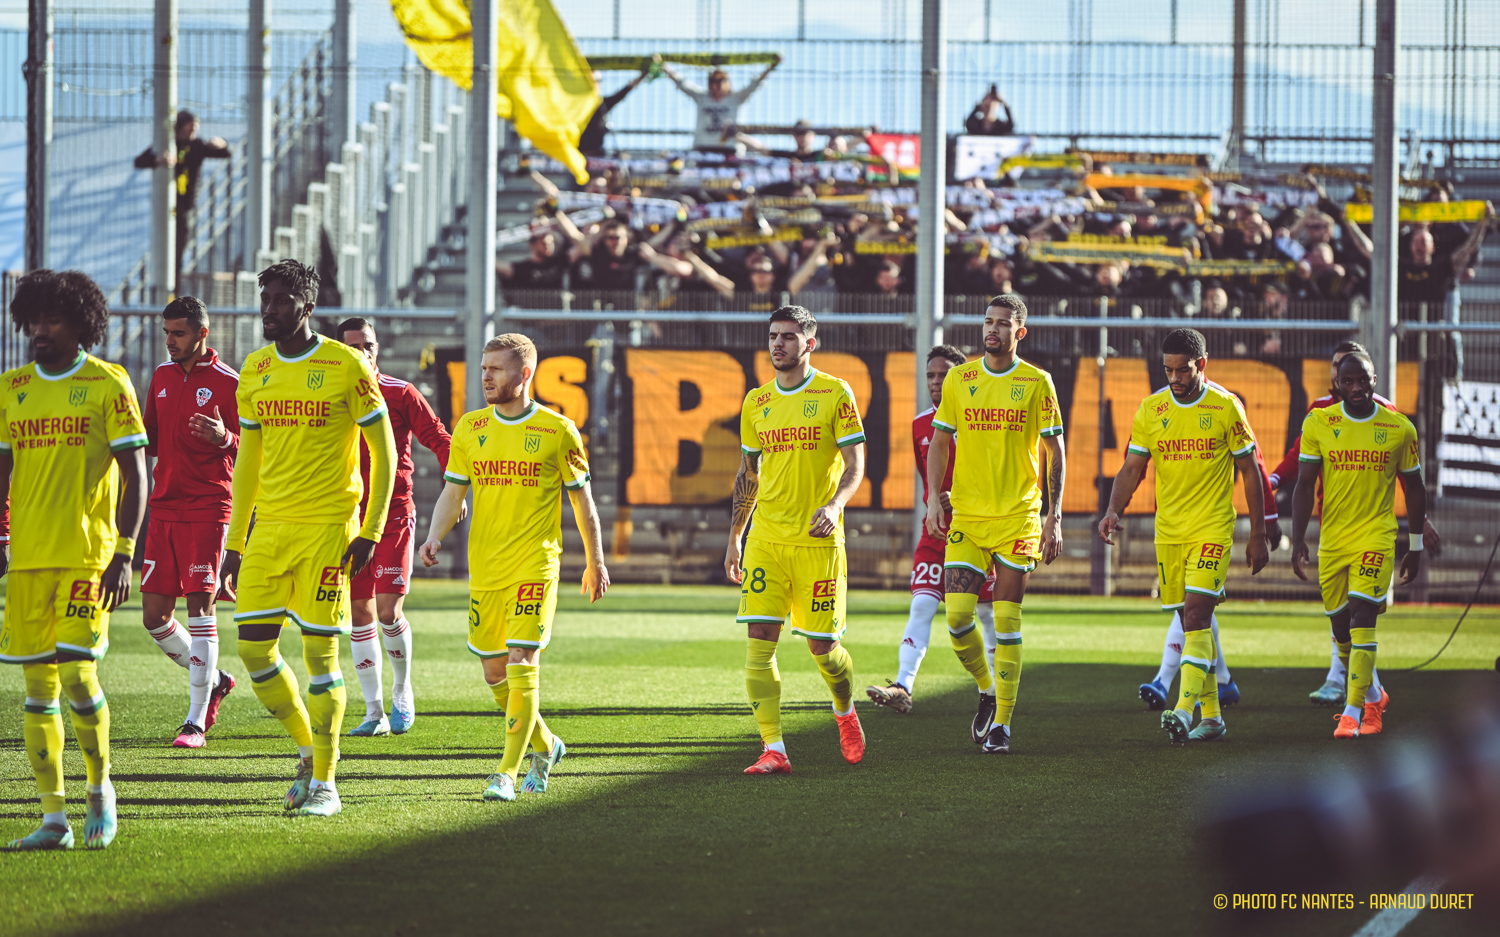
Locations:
{"points": [[53, 611]]}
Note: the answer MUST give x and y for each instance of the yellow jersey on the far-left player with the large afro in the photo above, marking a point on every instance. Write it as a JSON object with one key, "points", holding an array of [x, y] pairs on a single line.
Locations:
{"points": [[62, 433]]}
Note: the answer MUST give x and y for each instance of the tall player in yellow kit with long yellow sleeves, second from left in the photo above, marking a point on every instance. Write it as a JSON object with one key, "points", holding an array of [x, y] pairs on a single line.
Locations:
{"points": [[305, 403]]}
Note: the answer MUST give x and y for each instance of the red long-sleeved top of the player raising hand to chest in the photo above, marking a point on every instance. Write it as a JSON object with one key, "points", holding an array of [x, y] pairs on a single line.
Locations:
{"points": [[193, 477]]}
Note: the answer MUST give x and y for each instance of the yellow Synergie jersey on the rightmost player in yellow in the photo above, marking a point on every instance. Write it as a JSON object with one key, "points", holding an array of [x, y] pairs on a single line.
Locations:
{"points": [[1360, 464]]}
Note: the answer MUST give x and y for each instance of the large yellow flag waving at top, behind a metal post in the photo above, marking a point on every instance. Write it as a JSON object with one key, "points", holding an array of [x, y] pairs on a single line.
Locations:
{"points": [[547, 88]]}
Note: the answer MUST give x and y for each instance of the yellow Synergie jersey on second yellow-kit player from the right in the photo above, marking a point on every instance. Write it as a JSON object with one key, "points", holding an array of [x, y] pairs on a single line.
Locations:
{"points": [[1193, 448]]}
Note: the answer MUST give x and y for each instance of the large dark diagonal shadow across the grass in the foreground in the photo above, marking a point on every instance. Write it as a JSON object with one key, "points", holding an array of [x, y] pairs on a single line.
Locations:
{"points": [[1090, 828]]}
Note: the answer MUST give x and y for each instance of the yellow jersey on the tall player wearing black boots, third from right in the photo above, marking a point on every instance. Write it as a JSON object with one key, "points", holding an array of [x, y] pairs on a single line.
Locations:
{"points": [[997, 419]]}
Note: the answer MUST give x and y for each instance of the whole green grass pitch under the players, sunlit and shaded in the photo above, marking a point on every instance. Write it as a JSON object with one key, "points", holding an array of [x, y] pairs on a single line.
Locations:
{"points": [[650, 827]]}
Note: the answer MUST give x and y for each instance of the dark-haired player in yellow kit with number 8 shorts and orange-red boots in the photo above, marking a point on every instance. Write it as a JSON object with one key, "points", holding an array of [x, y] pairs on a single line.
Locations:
{"points": [[803, 457]]}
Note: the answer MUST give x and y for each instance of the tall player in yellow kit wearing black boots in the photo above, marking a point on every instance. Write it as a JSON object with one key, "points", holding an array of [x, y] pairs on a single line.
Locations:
{"points": [[998, 409]]}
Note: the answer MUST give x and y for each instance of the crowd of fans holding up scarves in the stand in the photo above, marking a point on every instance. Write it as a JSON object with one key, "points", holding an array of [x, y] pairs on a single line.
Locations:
{"points": [[739, 224]]}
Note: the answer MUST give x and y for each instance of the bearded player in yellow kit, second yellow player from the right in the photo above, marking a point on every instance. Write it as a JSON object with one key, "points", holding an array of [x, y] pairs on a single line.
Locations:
{"points": [[1196, 434]]}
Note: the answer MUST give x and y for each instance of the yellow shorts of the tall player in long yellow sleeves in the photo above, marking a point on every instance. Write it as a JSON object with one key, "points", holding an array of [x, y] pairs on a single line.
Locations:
{"points": [[293, 572]]}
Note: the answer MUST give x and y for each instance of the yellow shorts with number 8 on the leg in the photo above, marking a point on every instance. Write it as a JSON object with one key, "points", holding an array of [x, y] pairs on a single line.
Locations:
{"points": [[808, 585]]}
